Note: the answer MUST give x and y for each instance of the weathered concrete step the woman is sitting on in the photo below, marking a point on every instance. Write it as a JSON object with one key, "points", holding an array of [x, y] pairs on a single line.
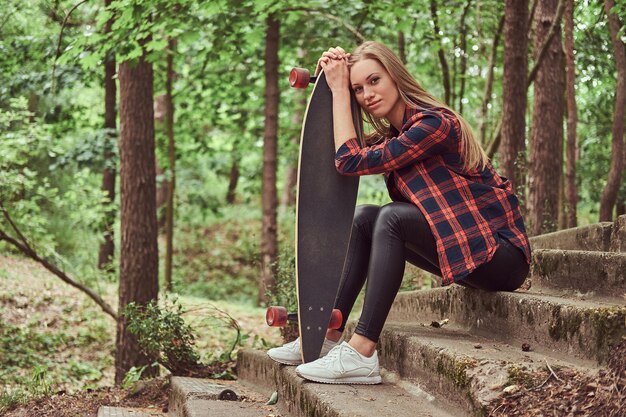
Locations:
{"points": [[584, 329]]}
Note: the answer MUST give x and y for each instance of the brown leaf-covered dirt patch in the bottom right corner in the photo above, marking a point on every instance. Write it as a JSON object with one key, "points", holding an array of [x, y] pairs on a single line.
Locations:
{"points": [[565, 392]]}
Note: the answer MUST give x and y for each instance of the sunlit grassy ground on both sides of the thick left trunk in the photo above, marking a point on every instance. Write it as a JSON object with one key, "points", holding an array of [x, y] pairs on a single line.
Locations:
{"points": [[53, 338]]}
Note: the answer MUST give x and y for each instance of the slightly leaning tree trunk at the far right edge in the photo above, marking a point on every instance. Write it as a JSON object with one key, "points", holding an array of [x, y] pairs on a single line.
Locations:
{"points": [[609, 195]]}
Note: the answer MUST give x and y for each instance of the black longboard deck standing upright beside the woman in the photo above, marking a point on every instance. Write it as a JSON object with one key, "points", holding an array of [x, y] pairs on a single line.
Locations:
{"points": [[325, 206]]}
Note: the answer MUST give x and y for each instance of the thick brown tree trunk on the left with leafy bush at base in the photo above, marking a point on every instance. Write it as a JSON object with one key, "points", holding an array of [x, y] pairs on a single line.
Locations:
{"points": [[139, 253]]}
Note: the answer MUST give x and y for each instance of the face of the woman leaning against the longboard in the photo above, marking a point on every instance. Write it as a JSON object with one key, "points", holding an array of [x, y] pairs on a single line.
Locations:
{"points": [[375, 91]]}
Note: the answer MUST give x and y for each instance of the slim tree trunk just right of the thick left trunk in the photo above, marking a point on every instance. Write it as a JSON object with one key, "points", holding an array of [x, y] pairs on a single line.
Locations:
{"points": [[171, 152]]}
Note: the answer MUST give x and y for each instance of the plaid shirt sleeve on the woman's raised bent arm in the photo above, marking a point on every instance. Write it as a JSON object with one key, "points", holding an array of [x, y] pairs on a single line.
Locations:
{"points": [[429, 135]]}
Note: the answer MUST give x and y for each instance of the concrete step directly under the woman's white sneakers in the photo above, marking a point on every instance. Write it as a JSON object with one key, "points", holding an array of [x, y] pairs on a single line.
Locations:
{"points": [[305, 399]]}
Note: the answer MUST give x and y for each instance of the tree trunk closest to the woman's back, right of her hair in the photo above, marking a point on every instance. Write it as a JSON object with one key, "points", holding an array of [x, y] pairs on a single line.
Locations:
{"points": [[513, 141]]}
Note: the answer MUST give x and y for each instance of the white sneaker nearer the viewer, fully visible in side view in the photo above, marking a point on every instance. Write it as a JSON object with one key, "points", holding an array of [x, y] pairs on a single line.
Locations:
{"points": [[342, 365]]}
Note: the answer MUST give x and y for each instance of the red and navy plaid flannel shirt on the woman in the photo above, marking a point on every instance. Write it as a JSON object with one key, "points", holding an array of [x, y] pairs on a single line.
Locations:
{"points": [[467, 211]]}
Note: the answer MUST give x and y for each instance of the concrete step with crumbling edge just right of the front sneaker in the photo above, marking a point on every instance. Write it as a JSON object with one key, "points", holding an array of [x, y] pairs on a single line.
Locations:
{"points": [[467, 369]]}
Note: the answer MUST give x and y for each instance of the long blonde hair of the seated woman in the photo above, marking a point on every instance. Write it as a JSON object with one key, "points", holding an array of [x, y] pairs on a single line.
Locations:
{"points": [[415, 96]]}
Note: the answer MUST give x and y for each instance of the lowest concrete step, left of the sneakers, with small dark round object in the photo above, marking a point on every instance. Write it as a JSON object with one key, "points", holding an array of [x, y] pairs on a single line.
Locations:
{"points": [[195, 397]]}
